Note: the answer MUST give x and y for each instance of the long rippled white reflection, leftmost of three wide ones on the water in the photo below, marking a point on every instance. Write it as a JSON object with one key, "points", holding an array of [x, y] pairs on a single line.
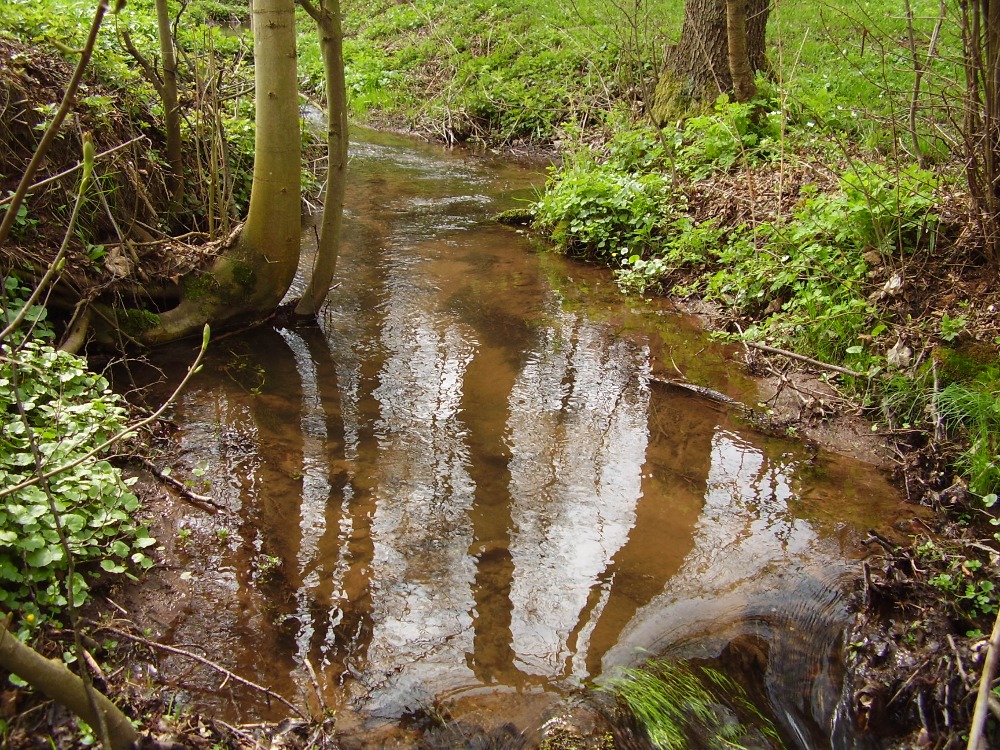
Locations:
{"points": [[421, 530]]}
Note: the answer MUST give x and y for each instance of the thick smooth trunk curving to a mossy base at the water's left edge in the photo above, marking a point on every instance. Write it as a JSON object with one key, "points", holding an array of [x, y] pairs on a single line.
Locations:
{"points": [[251, 276]]}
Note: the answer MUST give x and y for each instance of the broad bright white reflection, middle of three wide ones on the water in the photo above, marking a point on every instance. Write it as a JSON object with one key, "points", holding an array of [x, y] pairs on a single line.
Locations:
{"points": [[577, 432]]}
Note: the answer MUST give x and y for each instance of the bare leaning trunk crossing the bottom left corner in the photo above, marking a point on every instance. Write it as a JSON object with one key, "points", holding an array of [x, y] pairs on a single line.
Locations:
{"points": [[55, 680]]}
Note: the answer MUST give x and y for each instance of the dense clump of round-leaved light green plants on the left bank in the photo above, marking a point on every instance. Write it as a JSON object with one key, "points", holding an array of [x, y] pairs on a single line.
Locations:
{"points": [[54, 413]]}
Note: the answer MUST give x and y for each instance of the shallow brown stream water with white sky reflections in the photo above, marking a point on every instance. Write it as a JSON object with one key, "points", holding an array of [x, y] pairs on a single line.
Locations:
{"points": [[464, 494]]}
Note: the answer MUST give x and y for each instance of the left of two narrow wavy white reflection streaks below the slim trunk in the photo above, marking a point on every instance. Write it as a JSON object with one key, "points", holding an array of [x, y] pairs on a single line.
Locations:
{"points": [[315, 487]]}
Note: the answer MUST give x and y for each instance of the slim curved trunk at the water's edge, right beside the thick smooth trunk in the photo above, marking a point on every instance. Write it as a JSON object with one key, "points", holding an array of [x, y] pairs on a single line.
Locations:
{"points": [[328, 24]]}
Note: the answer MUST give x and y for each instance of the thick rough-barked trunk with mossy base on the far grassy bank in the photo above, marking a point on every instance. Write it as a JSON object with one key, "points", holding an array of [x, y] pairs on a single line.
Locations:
{"points": [[697, 68]]}
